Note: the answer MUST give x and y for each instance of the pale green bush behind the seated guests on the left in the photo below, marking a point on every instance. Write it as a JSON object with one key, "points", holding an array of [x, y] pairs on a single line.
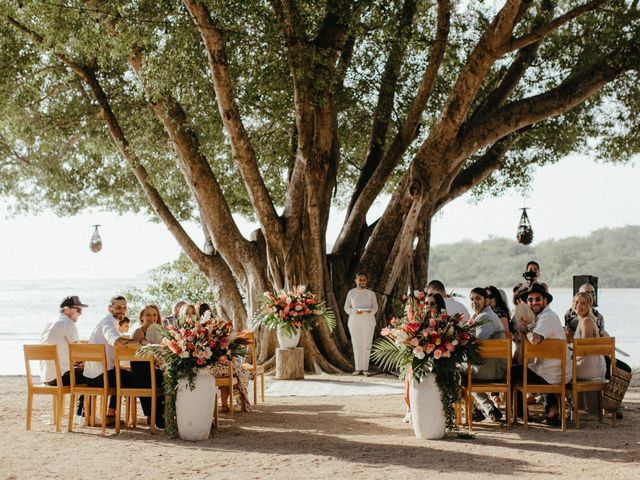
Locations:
{"points": [[170, 283]]}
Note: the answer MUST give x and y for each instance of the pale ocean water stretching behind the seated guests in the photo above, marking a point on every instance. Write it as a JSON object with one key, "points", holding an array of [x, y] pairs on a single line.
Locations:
{"points": [[27, 305]]}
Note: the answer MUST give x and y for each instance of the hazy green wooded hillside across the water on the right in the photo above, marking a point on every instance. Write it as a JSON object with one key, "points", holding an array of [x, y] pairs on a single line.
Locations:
{"points": [[500, 261]]}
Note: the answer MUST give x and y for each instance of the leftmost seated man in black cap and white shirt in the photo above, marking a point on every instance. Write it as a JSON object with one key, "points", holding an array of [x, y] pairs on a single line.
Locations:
{"points": [[61, 333]]}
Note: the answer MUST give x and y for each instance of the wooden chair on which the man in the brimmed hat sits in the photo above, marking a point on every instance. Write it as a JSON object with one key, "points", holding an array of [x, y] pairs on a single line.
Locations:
{"points": [[548, 349]]}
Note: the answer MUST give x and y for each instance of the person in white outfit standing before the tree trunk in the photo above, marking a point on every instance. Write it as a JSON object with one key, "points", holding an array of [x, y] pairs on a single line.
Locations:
{"points": [[361, 305]]}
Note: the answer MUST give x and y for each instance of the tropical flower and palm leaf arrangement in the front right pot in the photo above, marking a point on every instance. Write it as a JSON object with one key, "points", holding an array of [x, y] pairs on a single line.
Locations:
{"points": [[427, 342]]}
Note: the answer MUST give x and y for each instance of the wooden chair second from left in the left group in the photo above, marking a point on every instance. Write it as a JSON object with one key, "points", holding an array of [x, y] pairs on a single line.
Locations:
{"points": [[89, 352]]}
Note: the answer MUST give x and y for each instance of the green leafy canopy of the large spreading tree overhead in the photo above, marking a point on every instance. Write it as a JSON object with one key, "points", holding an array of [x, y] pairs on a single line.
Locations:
{"points": [[55, 151]]}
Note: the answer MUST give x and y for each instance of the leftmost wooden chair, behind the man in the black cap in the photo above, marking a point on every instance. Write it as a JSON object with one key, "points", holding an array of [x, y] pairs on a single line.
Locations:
{"points": [[45, 353]]}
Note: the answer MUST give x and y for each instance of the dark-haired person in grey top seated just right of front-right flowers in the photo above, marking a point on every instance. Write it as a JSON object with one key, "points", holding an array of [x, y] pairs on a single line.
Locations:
{"points": [[490, 327]]}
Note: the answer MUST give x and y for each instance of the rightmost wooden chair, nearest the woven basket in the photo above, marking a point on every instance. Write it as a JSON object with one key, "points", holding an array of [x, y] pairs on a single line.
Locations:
{"points": [[591, 347]]}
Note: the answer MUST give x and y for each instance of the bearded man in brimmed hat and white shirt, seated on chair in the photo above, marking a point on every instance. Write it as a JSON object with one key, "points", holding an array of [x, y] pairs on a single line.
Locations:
{"points": [[546, 326]]}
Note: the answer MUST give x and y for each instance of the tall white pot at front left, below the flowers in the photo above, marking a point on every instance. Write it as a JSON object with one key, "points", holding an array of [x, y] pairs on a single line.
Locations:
{"points": [[194, 408]]}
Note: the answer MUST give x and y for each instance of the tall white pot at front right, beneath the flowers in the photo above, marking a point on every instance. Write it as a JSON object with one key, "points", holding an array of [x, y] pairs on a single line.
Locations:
{"points": [[427, 412]]}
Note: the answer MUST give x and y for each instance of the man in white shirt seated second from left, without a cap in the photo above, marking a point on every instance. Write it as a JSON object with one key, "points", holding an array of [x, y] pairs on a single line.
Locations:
{"points": [[106, 332]]}
